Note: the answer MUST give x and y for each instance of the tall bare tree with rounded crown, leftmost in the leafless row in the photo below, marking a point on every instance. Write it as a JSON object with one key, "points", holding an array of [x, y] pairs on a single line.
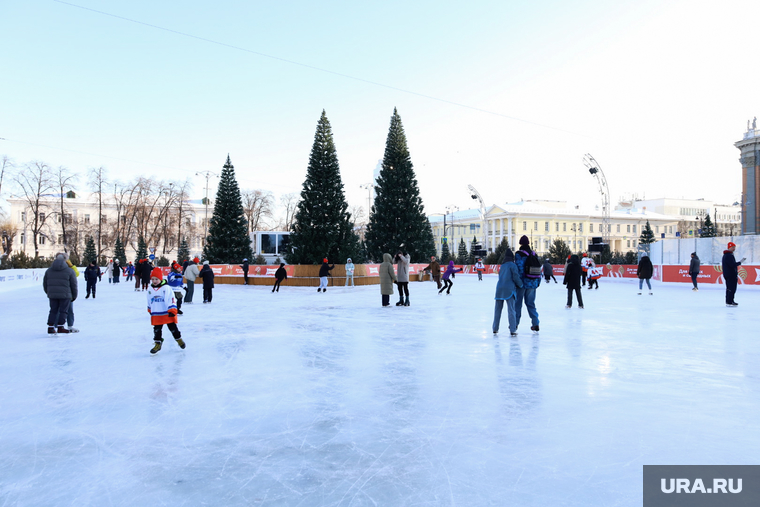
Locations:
{"points": [[35, 181]]}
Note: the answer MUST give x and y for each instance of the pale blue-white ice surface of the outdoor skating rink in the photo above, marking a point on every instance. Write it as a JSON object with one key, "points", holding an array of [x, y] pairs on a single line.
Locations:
{"points": [[300, 398]]}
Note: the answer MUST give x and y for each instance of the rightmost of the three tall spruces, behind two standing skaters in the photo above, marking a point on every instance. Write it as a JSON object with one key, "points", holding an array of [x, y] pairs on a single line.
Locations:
{"points": [[398, 216]]}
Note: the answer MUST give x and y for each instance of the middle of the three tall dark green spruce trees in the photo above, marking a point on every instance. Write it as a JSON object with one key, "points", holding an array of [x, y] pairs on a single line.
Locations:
{"points": [[322, 225]]}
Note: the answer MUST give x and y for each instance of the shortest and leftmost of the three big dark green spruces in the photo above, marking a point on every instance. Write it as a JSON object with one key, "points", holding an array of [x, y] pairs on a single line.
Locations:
{"points": [[228, 241]]}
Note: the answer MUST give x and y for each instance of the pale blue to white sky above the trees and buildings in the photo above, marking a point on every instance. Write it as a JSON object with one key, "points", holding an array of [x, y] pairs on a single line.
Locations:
{"points": [[657, 92]]}
